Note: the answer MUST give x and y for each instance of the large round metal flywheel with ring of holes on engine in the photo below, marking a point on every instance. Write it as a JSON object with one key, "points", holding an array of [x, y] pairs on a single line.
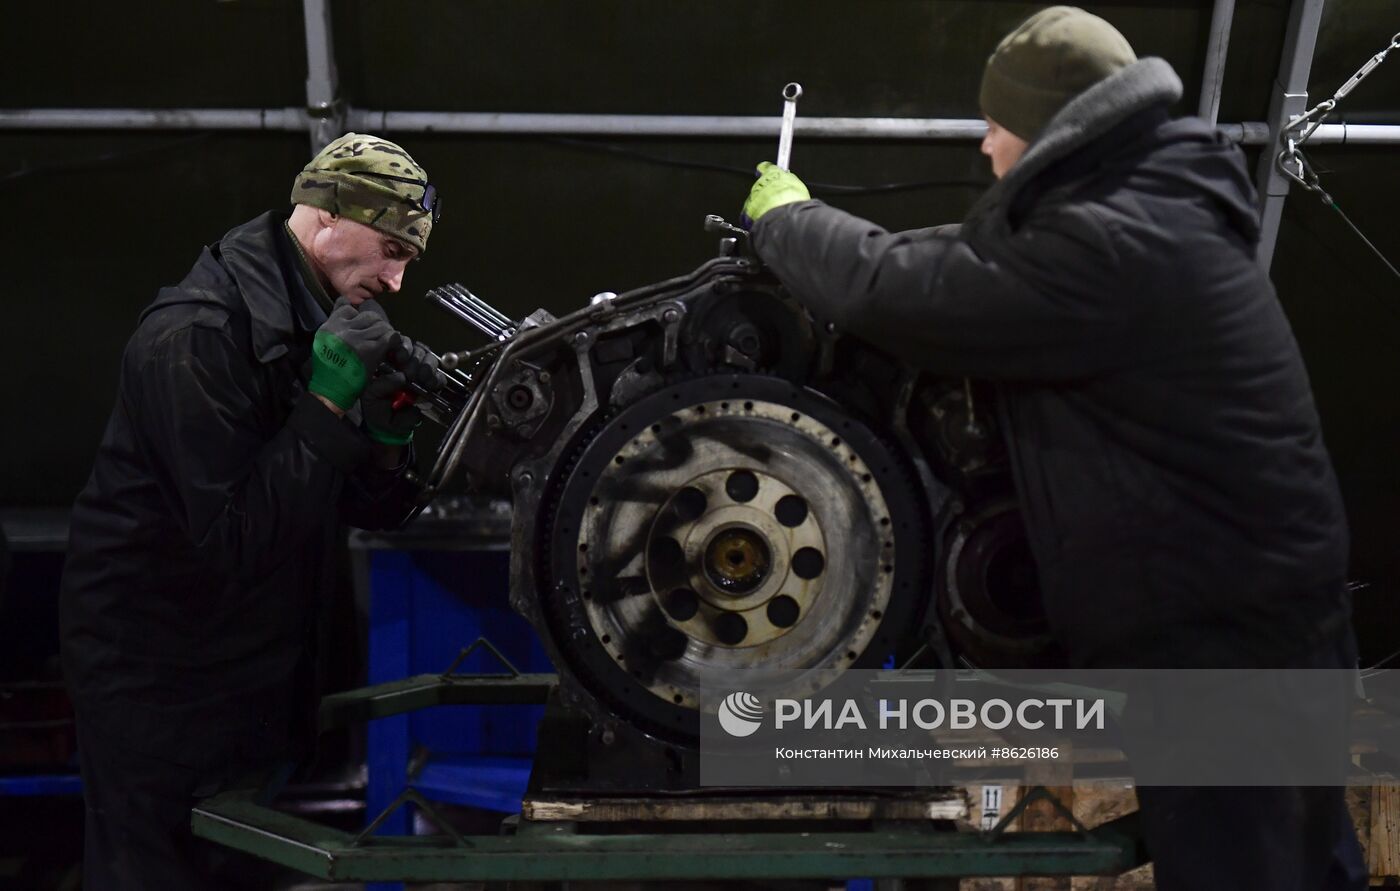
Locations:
{"points": [[726, 525]]}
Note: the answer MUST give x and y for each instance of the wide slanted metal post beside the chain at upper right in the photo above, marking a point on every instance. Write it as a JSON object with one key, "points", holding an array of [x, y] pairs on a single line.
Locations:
{"points": [[1290, 100]]}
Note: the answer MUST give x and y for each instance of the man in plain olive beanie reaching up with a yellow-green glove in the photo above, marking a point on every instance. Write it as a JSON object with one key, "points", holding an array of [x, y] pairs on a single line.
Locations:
{"points": [[1168, 459]]}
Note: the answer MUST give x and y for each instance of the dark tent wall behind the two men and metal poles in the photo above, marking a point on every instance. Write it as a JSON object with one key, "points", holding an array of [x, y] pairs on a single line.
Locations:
{"points": [[96, 222]]}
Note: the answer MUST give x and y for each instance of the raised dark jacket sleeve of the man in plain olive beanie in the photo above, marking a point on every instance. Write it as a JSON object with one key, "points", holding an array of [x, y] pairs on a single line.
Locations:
{"points": [[1048, 302]]}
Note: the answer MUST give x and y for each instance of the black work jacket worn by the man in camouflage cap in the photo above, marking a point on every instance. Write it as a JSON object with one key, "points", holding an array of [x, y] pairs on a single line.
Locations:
{"points": [[199, 548]]}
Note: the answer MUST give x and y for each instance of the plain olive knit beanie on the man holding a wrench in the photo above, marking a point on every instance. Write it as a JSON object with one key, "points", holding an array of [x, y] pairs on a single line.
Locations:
{"points": [[1052, 58]]}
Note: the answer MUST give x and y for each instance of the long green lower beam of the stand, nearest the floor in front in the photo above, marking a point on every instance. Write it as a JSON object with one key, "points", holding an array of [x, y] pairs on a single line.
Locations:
{"points": [[234, 820]]}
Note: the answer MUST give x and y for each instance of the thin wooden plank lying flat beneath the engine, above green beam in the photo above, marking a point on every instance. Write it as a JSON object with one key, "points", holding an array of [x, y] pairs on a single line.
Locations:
{"points": [[943, 805]]}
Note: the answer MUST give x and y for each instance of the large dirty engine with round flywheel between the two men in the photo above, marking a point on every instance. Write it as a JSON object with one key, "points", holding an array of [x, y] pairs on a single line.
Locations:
{"points": [[706, 478]]}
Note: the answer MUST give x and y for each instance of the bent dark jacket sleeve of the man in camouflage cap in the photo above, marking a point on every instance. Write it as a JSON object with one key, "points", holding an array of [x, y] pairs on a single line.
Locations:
{"points": [[246, 501]]}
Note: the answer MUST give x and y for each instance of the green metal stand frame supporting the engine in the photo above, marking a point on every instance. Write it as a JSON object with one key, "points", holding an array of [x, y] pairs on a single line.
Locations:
{"points": [[565, 851]]}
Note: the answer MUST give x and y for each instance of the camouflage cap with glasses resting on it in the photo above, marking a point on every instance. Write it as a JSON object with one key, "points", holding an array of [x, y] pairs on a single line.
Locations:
{"points": [[372, 181]]}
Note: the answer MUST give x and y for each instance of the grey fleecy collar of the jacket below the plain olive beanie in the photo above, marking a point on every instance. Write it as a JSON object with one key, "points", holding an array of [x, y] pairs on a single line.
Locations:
{"points": [[1084, 120]]}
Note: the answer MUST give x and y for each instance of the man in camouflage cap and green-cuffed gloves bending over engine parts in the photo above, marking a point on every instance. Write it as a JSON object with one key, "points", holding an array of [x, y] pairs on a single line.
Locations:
{"points": [[253, 422]]}
